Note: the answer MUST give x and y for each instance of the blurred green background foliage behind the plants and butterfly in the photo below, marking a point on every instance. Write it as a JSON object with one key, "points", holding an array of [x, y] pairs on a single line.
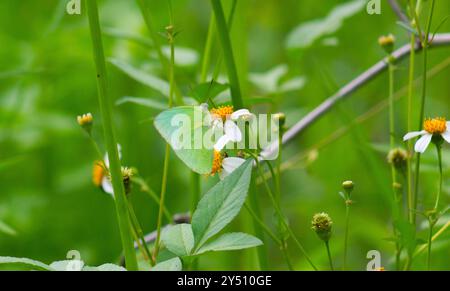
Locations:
{"points": [[48, 204]]}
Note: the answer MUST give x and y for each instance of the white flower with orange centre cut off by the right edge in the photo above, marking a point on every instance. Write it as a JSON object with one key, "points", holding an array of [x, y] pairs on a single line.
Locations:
{"points": [[431, 127]]}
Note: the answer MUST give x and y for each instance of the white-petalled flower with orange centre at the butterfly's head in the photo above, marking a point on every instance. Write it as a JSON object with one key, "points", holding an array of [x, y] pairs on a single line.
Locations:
{"points": [[223, 118]]}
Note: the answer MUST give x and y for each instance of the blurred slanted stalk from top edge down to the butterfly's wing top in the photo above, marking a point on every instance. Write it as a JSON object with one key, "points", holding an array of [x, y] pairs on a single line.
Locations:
{"points": [[145, 11]]}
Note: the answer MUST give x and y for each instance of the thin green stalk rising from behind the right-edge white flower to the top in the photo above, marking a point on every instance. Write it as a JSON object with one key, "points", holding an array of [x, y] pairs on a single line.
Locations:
{"points": [[425, 45]]}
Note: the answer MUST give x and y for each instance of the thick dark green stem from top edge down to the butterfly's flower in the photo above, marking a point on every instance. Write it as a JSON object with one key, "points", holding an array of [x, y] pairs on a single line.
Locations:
{"points": [[224, 38]]}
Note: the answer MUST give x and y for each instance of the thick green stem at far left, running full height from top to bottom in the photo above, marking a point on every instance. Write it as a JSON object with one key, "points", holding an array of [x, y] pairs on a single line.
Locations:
{"points": [[110, 141]]}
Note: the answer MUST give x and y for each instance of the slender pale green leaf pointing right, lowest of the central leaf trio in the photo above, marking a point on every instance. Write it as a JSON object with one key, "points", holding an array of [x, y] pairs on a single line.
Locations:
{"points": [[229, 242]]}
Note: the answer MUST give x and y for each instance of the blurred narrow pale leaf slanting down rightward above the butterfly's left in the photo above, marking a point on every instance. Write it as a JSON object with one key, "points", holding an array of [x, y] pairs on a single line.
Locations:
{"points": [[142, 77]]}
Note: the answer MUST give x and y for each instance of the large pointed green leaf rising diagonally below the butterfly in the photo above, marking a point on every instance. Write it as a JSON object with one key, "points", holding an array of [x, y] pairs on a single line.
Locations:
{"points": [[221, 204]]}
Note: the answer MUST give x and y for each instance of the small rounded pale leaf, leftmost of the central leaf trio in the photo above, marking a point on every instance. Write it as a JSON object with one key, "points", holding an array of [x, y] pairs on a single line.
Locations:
{"points": [[179, 239]]}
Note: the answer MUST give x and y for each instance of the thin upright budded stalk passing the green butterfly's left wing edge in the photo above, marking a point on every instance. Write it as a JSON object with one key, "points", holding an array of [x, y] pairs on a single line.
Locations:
{"points": [[170, 36]]}
